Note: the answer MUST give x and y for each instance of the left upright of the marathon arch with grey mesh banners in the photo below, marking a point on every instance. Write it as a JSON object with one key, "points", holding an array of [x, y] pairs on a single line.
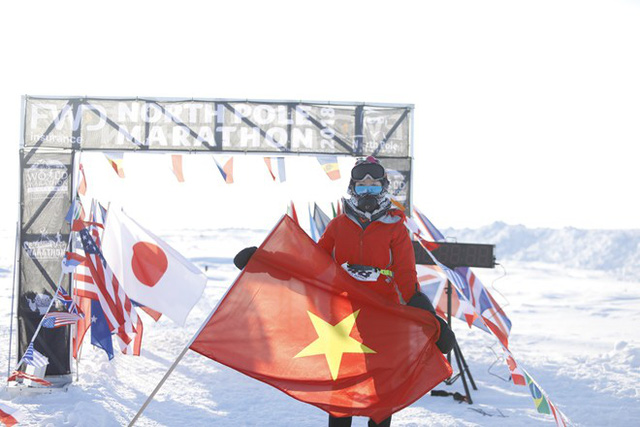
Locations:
{"points": [[45, 199]]}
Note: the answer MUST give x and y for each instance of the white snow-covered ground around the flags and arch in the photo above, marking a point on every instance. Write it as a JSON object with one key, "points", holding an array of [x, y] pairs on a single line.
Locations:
{"points": [[575, 330]]}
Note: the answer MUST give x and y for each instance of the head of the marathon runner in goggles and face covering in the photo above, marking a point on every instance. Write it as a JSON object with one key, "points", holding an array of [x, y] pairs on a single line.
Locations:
{"points": [[368, 185]]}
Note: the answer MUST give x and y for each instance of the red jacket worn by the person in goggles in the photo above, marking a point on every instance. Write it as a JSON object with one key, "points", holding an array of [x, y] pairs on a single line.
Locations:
{"points": [[384, 243]]}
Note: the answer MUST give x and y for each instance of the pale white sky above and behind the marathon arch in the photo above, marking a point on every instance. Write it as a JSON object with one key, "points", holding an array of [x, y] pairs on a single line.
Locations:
{"points": [[526, 112]]}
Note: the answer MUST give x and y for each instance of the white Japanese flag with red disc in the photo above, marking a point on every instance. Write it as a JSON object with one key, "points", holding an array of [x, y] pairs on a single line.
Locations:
{"points": [[151, 272]]}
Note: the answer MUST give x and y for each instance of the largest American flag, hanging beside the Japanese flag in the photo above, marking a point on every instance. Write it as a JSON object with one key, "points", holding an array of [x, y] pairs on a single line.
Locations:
{"points": [[118, 309]]}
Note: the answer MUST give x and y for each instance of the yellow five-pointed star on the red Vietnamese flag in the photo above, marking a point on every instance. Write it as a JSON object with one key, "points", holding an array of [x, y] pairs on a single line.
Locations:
{"points": [[333, 341]]}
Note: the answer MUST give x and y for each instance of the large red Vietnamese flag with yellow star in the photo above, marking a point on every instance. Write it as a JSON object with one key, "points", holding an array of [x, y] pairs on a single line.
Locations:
{"points": [[296, 320]]}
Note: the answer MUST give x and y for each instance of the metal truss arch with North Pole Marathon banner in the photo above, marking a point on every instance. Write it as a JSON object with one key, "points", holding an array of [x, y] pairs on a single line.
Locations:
{"points": [[54, 129]]}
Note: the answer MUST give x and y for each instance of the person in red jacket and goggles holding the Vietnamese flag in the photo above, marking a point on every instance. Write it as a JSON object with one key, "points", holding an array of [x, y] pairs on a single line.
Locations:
{"points": [[372, 243]]}
